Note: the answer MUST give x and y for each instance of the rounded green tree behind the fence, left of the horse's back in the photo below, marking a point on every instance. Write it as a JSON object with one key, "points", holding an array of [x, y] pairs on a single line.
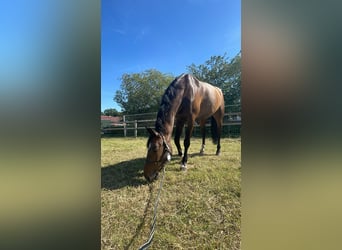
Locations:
{"points": [[142, 92]]}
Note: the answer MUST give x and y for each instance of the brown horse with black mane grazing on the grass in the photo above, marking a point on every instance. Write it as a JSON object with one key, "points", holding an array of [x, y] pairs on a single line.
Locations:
{"points": [[186, 100]]}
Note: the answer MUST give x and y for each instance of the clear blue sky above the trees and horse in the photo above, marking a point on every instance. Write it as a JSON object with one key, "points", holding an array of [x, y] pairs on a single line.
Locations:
{"points": [[167, 35]]}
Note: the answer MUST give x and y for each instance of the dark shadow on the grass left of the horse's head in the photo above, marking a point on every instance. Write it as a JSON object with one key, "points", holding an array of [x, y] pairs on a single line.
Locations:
{"points": [[122, 174]]}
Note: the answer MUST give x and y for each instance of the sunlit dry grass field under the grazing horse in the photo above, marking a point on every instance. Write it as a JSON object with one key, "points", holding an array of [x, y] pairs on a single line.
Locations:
{"points": [[199, 208]]}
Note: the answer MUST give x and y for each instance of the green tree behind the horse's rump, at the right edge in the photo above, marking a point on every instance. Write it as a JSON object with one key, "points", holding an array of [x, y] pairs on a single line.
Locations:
{"points": [[221, 72]]}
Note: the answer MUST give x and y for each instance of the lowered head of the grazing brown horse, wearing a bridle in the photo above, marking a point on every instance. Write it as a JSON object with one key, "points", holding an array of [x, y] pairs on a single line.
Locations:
{"points": [[158, 153]]}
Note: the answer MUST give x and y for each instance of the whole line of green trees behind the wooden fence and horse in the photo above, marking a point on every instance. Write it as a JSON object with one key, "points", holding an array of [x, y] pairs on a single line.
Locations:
{"points": [[142, 92]]}
